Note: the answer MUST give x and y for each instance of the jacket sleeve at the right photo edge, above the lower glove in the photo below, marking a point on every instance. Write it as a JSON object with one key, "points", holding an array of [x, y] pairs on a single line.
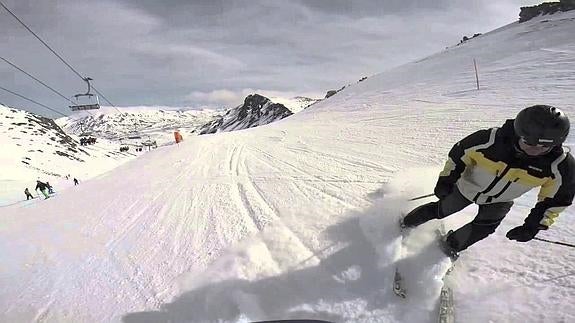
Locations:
{"points": [[555, 195]]}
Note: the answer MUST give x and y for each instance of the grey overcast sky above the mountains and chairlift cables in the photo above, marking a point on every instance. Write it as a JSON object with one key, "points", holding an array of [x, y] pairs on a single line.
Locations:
{"points": [[197, 53]]}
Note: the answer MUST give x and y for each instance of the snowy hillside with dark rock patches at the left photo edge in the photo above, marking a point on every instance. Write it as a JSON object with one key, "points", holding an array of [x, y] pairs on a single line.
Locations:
{"points": [[34, 147]]}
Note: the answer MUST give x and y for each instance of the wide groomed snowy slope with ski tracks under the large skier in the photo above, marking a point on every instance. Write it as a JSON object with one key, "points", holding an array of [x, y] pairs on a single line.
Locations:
{"points": [[296, 218]]}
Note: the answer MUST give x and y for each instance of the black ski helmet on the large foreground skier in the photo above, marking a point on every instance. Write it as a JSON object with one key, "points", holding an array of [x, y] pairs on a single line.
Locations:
{"points": [[542, 125]]}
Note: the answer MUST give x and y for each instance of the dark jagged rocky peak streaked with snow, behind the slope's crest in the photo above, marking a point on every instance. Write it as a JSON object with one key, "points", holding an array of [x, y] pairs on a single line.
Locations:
{"points": [[256, 111]]}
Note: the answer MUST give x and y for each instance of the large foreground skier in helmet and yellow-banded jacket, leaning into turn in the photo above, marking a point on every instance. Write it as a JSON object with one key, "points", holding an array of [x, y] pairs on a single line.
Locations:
{"points": [[492, 167]]}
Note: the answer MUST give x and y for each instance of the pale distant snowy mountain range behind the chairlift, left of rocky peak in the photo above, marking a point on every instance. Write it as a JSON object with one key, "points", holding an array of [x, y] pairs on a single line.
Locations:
{"points": [[149, 123]]}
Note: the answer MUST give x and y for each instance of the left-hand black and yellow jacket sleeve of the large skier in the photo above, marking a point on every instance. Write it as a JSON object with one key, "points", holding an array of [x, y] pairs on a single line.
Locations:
{"points": [[459, 158]]}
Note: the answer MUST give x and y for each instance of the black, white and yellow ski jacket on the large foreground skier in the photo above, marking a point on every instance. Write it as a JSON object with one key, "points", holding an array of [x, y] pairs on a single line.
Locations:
{"points": [[487, 167]]}
